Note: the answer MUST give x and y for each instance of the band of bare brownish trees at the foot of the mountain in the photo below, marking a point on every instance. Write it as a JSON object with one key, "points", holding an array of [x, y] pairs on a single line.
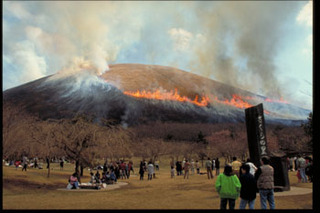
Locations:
{"points": [[85, 139]]}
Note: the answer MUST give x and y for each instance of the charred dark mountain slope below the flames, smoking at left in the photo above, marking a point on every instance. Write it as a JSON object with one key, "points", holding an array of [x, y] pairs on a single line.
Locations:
{"points": [[58, 99]]}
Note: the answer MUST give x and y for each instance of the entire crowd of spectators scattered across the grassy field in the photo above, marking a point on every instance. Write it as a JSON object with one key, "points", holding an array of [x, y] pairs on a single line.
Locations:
{"points": [[239, 179]]}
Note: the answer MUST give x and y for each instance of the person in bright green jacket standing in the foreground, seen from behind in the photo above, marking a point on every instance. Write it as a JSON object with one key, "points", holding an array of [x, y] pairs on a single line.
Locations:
{"points": [[228, 186]]}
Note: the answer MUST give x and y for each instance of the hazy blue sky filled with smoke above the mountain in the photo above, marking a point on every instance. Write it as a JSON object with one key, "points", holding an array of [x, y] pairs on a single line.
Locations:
{"points": [[263, 47]]}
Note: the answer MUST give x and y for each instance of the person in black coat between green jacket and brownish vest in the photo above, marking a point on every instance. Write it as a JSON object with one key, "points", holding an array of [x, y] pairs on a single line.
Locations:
{"points": [[248, 187]]}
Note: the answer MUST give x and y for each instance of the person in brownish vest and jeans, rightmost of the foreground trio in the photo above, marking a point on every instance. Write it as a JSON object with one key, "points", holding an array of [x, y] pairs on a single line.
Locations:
{"points": [[265, 183]]}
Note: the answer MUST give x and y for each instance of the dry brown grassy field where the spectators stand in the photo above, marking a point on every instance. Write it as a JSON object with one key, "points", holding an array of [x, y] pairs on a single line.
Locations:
{"points": [[33, 190]]}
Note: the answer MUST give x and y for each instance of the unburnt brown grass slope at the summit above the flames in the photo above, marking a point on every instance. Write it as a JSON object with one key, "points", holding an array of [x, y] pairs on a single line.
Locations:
{"points": [[134, 77]]}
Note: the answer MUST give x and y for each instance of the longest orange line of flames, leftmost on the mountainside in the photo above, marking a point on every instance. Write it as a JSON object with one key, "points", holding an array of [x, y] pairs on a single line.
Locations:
{"points": [[173, 96]]}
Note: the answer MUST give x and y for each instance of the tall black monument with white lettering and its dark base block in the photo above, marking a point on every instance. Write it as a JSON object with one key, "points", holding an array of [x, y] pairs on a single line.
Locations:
{"points": [[257, 142]]}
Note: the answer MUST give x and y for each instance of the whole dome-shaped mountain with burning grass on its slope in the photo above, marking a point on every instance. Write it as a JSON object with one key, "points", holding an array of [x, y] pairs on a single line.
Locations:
{"points": [[135, 93]]}
